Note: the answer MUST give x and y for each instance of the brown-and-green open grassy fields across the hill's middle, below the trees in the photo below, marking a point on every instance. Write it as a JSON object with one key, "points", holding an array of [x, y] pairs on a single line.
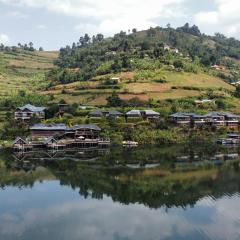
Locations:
{"points": [[142, 88]]}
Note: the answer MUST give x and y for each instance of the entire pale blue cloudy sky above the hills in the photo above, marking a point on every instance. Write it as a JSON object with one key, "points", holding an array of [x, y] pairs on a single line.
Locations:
{"points": [[55, 23]]}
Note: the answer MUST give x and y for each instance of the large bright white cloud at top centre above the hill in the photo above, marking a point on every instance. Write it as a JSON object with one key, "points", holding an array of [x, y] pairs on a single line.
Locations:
{"points": [[108, 16]]}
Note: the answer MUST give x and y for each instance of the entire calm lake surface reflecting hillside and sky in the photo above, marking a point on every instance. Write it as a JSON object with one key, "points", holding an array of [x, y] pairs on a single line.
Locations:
{"points": [[178, 192]]}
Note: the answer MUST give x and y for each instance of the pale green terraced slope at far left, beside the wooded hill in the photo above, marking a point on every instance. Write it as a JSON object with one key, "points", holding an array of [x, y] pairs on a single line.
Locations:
{"points": [[24, 70]]}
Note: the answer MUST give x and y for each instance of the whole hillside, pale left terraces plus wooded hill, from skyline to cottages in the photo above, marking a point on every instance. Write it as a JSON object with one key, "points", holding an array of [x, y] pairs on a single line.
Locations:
{"points": [[153, 66]]}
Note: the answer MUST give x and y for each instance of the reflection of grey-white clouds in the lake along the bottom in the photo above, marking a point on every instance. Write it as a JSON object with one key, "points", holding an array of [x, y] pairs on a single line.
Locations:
{"points": [[92, 219]]}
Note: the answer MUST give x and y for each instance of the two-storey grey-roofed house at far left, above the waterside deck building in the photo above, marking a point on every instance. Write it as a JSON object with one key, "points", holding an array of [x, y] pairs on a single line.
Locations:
{"points": [[29, 111]]}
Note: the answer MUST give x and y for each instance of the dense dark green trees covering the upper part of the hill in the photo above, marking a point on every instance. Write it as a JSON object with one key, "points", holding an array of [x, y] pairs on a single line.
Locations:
{"points": [[96, 55]]}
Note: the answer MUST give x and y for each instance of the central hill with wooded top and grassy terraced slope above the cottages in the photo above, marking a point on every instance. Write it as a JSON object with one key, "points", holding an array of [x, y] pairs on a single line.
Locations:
{"points": [[159, 64]]}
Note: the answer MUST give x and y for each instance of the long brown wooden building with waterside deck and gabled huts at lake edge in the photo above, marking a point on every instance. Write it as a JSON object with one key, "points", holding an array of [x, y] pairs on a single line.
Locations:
{"points": [[59, 136]]}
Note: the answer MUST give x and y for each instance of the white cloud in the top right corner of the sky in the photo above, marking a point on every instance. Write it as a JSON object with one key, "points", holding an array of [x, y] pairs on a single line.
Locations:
{"points": [[225, 18]]}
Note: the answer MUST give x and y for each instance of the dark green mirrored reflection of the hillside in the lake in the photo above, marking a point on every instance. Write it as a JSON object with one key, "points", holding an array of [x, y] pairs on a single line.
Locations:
{"points": [[156, 177]]}
